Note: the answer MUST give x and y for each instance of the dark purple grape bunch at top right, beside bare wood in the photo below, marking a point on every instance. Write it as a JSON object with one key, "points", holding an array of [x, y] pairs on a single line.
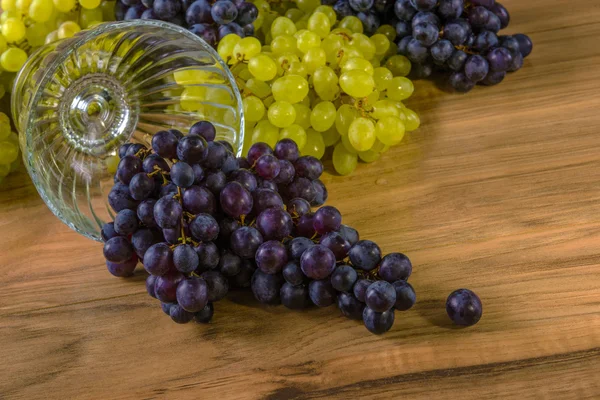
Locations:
{"points": [[460, 37]]}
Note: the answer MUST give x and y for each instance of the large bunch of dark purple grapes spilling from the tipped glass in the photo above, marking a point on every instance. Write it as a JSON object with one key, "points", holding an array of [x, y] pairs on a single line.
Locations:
{"points": [[203, 221]]}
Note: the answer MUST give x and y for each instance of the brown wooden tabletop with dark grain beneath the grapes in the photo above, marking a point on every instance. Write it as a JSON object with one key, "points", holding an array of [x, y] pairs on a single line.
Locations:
{"points": [[499, 192]]}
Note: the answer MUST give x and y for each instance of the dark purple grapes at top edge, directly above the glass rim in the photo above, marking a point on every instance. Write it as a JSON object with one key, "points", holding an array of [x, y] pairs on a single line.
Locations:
{"points": [[210, 20]]}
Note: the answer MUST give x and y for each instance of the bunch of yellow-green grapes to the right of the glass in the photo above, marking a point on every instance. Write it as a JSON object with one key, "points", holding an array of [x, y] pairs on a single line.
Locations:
{"points": [[322, 83]]}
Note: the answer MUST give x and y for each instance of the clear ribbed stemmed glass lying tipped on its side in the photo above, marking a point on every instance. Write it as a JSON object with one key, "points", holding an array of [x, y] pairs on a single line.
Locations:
{"points": [[77, 100]]}
